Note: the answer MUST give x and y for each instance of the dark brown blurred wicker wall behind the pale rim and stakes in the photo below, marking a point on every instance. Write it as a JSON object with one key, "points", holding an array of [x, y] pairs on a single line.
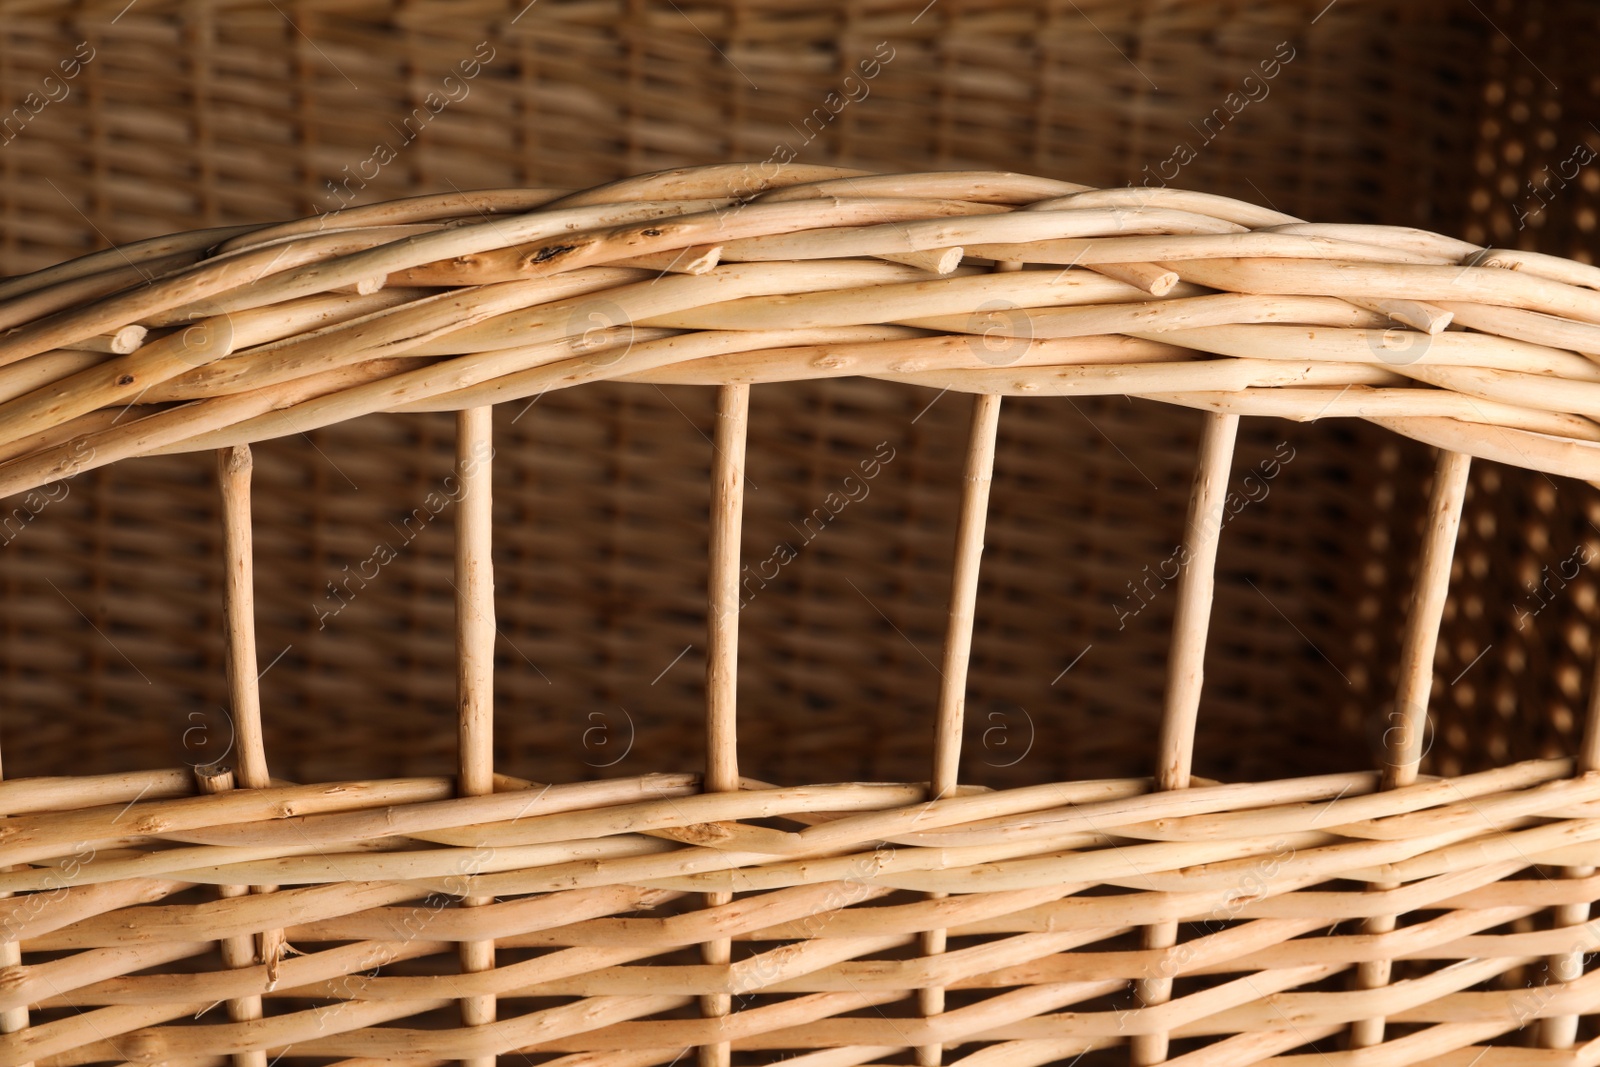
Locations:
{"points": [[1463, 118]]}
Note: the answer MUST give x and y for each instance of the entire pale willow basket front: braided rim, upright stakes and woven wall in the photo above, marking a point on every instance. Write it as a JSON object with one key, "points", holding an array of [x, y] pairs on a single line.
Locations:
{"points": [[615, 922]]}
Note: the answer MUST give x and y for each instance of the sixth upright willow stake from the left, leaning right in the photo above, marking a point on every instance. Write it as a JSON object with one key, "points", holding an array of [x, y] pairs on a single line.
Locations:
{"points": [[1404, 740]]}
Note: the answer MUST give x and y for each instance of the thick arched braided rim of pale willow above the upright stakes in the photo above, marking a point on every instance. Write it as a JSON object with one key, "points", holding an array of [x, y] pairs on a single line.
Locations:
{"points": [[303, 326]]}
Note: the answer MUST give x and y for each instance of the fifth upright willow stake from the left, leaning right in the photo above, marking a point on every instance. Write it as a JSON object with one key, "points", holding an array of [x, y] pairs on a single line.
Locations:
{"points": [[1186, 676]]}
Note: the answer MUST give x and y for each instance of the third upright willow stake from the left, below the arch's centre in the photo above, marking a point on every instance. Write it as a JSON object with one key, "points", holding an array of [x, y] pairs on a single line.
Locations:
{"points": [[722, 652]]}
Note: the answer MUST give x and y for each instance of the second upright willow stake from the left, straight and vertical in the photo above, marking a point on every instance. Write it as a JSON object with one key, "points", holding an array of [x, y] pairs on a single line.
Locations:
{"points": [[476, 663]]}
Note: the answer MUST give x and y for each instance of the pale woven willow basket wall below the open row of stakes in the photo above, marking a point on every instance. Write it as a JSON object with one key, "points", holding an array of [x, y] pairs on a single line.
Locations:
{"points": [[825, 922]]}
